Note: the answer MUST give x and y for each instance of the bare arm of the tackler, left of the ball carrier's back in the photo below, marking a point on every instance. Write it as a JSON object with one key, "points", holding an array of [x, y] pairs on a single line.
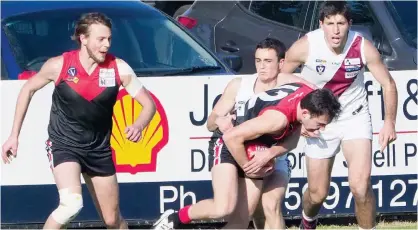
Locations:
{"points": [[224, 105]]}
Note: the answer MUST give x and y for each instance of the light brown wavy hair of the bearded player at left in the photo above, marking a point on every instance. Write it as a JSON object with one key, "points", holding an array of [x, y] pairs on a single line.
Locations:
{"points": [[83, 24]]}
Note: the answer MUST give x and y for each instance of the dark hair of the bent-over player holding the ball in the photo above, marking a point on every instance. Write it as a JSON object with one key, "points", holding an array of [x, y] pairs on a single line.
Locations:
{"points": [[321, 102]]}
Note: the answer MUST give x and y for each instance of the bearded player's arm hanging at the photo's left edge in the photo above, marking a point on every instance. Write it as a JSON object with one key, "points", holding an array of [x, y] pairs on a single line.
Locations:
{"points": [[49, 72]]}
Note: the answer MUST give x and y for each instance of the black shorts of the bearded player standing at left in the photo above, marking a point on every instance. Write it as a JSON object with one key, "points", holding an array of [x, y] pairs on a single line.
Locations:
{"points": [[93, 163]]}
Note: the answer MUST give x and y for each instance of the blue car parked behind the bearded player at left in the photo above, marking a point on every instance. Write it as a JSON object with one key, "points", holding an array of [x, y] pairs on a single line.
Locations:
{"points": [[151, 42]]}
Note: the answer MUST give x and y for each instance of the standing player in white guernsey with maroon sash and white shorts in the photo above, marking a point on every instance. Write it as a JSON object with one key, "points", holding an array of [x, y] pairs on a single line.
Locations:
{"points": [[335, 57]]}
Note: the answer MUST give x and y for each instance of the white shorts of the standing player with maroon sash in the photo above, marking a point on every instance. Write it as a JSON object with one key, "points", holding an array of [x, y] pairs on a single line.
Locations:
{"points": [[357, 126]]}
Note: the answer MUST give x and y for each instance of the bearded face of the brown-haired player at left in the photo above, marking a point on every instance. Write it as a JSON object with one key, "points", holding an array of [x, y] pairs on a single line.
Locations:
{"points": [[98, 42]]}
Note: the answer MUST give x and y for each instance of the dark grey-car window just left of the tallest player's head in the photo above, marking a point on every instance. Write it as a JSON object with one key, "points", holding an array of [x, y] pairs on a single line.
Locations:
{"points": [[292, 13]]}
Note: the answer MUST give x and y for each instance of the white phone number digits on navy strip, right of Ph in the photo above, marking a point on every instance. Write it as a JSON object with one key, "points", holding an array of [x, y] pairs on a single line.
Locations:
{"points": [[394, 193]]}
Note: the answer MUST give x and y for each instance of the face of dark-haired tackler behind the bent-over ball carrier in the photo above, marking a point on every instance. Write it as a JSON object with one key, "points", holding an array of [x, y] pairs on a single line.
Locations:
{"points": [[267, 63]]}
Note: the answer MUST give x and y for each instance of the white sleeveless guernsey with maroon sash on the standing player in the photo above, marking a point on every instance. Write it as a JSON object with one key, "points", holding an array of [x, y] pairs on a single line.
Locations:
{"points": [[343, 74]]}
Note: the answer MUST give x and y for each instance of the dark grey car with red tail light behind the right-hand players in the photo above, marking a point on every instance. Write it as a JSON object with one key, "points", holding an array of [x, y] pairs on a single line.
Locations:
{"points": [[235, 27]]}
